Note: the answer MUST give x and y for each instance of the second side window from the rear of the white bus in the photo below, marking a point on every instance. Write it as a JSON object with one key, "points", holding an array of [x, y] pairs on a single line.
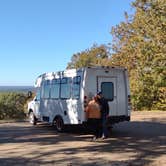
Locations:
{"points": [[65, 88]]}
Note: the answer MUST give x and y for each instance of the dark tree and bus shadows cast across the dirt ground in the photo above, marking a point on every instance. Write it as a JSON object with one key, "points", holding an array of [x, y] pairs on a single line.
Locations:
{"points": [[145, 140]]}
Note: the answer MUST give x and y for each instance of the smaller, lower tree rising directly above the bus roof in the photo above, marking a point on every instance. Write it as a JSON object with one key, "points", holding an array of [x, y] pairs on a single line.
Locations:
{"points": [[95, 56]]}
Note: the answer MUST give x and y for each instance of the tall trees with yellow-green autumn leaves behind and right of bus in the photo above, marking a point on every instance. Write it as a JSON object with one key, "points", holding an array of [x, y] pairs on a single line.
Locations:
{"points": [[139, 44]]}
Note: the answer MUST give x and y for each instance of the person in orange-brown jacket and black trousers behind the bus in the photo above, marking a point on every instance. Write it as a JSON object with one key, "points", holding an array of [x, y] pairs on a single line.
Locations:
{"points": [[93, 114]]}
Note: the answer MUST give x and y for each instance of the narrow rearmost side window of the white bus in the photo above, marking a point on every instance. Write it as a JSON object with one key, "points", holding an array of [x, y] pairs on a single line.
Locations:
{"points": [[76, 87]]}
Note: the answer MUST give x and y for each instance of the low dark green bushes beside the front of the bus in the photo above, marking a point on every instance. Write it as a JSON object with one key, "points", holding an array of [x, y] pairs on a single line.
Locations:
{"points": [[12, 105]]}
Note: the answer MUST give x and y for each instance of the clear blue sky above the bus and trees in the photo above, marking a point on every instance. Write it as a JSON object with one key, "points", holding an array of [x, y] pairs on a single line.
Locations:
{"points": [[38, 36]]}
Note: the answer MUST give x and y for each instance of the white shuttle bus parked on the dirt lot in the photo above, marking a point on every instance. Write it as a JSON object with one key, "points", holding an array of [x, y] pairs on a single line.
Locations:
{"points": [[61, 97]]}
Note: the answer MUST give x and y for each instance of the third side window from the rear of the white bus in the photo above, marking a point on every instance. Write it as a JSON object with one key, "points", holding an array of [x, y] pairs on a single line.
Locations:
{"points": [[55, 88]]}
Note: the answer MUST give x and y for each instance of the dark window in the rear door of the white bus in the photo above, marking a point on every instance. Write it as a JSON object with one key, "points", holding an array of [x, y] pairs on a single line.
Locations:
{"points": [[107, 89]]}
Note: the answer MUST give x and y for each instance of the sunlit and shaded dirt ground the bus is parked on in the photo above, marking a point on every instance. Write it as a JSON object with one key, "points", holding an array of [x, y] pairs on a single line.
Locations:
{"points": [[140, 142]]}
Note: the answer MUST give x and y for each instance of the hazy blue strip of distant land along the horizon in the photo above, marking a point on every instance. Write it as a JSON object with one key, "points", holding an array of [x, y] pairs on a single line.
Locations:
{"points": [[16, 88]]}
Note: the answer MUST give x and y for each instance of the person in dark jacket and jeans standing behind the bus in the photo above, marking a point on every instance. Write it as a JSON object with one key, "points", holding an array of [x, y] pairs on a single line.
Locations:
{"points": [[104, 107]]}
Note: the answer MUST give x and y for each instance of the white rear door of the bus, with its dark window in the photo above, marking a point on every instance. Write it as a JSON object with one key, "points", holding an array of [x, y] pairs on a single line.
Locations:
{"points": [[108, 87]]}
